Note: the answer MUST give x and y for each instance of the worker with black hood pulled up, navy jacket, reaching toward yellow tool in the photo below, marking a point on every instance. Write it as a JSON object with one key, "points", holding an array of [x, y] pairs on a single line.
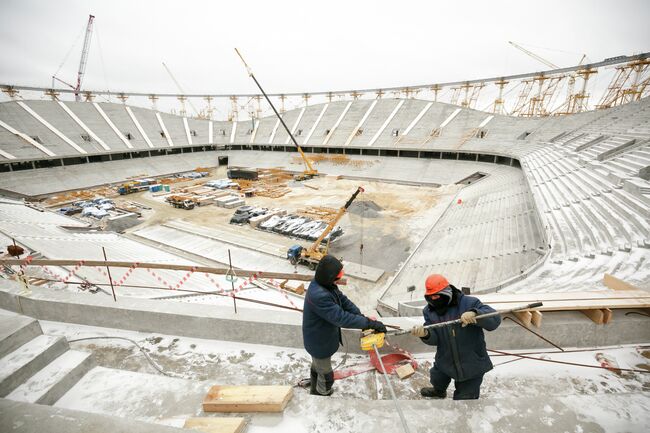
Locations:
{"points": [[326, 310]]}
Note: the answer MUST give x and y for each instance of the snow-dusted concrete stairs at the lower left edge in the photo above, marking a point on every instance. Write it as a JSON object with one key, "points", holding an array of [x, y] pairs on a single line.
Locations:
{"points": [[34, 367]]}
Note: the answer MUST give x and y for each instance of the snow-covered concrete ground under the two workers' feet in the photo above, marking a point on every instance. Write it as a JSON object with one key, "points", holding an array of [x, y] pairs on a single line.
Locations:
{"points": [[517, 393]]}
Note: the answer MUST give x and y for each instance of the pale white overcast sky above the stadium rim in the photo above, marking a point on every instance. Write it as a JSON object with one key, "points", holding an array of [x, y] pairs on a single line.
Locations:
{"points": [[307, 45]]}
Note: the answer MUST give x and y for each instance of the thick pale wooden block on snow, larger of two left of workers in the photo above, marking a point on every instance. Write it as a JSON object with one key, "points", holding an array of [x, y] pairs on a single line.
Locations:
{"points": [[224, 398]]}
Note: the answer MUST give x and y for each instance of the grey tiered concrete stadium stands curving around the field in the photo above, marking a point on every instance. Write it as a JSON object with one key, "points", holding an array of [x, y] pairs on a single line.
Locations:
{"points": [[581, 196]]}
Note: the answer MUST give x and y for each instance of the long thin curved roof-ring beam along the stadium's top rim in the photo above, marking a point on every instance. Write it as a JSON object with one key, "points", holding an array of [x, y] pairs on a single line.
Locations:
{"points": [[610, 61]]}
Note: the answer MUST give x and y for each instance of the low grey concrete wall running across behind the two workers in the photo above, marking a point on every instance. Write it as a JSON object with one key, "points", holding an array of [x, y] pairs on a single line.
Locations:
{"points": [[283, 328]]}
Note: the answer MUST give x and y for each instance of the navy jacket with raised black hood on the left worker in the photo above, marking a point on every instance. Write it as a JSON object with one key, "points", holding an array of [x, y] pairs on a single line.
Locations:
{"points": [[327, 310]]}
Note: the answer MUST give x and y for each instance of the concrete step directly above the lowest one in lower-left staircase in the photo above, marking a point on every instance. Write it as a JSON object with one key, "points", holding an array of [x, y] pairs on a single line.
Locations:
{"points": [[26, 360]]}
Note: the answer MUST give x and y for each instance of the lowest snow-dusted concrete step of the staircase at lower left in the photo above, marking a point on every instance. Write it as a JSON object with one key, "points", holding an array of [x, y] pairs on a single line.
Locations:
{"points": [[49, 384]]}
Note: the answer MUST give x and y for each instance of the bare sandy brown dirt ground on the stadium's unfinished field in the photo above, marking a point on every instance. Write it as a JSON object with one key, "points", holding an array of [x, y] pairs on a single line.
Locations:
{"points": [[387, 218]]}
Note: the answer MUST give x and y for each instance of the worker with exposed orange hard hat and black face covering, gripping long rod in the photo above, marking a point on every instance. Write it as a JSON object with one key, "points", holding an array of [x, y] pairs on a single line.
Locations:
{"points": [[461, 353]]}
